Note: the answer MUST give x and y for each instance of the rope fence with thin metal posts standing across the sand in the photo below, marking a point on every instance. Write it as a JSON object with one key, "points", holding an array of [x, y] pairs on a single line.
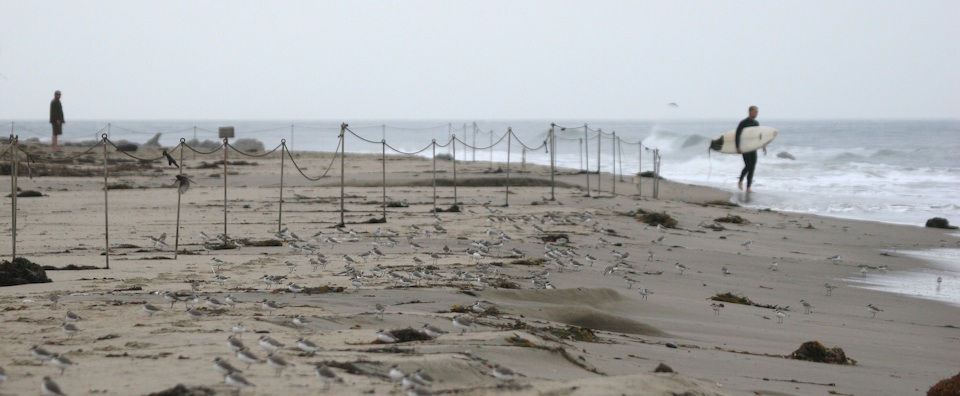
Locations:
{"points": [[13, 148]]}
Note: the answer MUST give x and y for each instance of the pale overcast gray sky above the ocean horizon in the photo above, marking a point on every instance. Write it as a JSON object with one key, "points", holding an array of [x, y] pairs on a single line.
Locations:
{"points": [[351, 60]]}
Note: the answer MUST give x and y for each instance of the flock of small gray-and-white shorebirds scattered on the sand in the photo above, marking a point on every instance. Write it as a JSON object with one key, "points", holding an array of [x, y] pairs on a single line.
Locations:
{"points": [[506, 238]]}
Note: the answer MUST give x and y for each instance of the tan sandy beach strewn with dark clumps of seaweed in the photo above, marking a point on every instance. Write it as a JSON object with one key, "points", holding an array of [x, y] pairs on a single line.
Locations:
{"points": [[590, 332]]}
